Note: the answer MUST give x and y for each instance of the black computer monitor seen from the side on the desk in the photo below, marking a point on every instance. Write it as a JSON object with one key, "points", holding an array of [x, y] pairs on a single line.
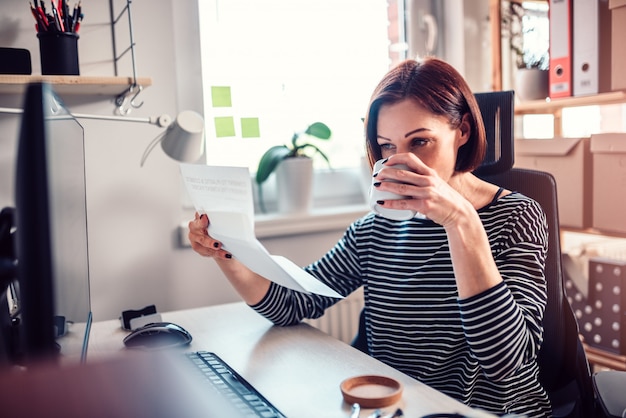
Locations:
{"points": [[51, 230]]}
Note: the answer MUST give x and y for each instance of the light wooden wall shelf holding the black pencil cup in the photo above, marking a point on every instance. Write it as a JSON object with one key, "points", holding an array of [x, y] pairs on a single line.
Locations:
{"points": [[72, 85]]}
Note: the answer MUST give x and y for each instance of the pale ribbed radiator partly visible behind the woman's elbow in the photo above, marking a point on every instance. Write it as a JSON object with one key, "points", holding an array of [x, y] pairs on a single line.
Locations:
{"points": [[342, 319]]}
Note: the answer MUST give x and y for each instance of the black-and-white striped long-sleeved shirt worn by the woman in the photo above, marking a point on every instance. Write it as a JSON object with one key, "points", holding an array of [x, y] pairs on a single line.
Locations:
{"points": [[480, 350]]}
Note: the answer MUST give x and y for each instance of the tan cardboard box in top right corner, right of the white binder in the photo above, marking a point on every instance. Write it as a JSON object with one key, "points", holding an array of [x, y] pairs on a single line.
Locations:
{"points": [[618, 52]]}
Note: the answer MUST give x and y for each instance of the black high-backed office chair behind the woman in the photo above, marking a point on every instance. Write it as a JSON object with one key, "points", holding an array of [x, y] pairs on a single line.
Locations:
{"points": [[563, 367]]}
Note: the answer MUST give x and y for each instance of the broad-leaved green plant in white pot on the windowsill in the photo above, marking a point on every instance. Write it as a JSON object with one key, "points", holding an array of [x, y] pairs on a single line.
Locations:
{"points": [[293, 164]]}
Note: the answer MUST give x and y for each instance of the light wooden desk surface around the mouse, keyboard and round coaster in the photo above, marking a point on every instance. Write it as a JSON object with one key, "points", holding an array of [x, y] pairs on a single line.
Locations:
{"points": [[297, 368]]}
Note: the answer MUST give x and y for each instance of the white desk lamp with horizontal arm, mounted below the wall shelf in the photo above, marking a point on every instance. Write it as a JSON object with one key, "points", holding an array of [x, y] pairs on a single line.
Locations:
{"points": [[182, 140]]}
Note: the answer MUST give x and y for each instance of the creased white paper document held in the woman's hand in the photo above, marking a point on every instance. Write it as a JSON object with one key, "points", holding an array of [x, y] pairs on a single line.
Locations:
{"points": [[224, 194]]}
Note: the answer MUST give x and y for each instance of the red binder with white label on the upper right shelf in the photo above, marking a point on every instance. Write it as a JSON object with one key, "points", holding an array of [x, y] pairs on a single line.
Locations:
{"points": [[560, 77]]}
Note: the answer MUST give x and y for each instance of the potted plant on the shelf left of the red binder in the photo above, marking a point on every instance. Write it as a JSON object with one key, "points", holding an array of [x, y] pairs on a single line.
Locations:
{"points": [[529, 48]]}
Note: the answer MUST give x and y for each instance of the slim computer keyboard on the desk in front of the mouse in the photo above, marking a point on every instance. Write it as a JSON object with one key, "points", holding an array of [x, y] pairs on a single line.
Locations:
{"points": [[232, 387]]}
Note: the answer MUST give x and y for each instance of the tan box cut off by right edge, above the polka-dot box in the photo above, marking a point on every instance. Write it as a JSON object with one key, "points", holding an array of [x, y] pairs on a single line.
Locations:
{"points": [[609, 182]]}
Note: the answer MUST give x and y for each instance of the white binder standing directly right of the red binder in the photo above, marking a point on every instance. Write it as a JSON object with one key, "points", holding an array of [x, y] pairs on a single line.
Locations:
{"points": [[591, 59]]}
